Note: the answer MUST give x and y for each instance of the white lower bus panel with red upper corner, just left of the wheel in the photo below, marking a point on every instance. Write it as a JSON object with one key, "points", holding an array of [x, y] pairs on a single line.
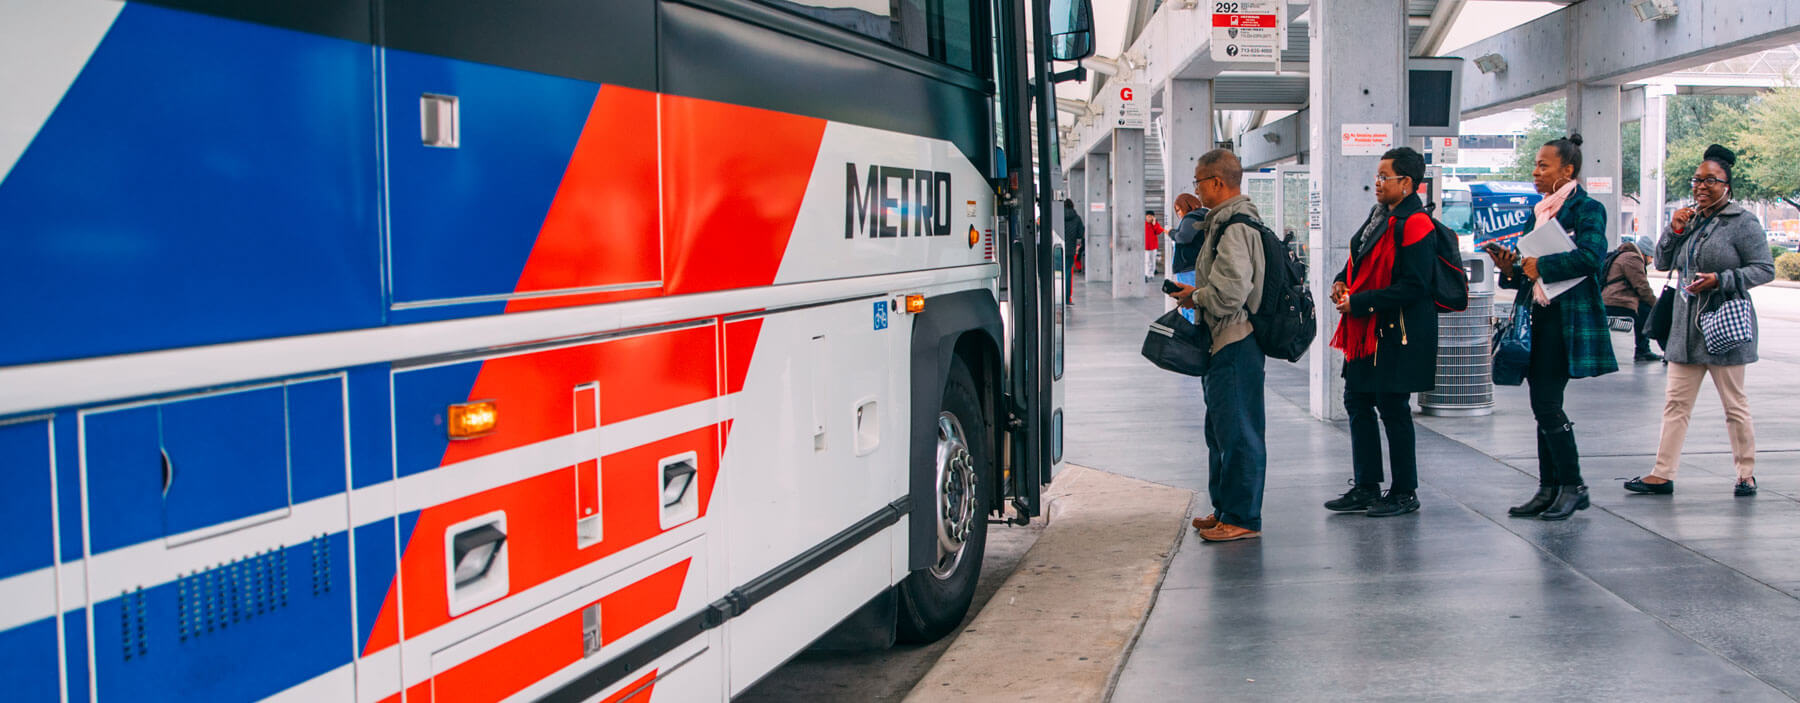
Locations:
{"points": [[818, 443]]}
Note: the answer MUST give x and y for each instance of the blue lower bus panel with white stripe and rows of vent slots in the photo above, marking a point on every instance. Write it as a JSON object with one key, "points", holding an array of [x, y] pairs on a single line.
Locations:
{"points": [[199, 594]]}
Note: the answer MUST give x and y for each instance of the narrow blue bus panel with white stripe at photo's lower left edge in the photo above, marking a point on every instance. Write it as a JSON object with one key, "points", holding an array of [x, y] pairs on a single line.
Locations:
{"points": [[28, 630]]}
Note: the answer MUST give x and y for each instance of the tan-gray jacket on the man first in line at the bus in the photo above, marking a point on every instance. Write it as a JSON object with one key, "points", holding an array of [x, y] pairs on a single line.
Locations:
{"points": [[1228, 272]]}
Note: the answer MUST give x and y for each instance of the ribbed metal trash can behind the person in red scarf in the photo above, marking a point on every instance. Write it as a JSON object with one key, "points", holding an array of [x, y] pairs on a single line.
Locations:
{"points": [[1466, 375]]}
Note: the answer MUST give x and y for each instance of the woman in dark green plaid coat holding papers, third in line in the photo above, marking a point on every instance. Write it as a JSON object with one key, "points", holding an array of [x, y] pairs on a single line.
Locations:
{"points": [[1570, 332]]}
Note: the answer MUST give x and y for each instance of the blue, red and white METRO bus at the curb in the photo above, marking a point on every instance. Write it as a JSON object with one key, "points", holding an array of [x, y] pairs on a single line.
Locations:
{"points": [[548, 350]]}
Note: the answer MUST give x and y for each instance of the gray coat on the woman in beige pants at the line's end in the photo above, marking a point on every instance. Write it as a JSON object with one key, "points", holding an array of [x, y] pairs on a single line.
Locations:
{"points": [[1732, 245]]}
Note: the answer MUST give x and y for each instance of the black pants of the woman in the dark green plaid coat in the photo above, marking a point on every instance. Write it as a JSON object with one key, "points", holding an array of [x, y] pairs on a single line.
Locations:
{"points": [[1558, 456]]}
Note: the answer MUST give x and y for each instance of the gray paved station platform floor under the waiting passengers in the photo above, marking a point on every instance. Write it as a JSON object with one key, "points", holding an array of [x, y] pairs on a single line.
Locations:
{"points": [[1637, 600]]}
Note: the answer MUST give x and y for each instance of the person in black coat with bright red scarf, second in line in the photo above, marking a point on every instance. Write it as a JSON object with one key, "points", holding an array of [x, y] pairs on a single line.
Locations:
{"points": [[1389, 335]]}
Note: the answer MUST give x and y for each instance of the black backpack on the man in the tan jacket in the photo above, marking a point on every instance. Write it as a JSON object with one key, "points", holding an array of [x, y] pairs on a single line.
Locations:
{"points": [[1286, 321]]}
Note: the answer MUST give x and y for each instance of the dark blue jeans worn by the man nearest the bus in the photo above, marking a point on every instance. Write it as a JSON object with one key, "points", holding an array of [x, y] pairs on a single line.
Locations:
{"points": [[1236, 452]]}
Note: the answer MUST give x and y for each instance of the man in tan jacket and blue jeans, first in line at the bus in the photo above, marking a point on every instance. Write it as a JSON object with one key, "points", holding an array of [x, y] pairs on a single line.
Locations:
{"points": [[1227, 290]]}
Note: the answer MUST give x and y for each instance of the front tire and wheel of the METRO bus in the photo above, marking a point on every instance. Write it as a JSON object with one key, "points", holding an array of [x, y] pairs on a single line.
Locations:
{"points": [[935, 600]]}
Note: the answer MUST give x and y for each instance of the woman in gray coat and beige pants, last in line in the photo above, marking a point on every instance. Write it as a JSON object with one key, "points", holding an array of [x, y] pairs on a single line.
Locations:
{"points": [[1722, 254]]}
